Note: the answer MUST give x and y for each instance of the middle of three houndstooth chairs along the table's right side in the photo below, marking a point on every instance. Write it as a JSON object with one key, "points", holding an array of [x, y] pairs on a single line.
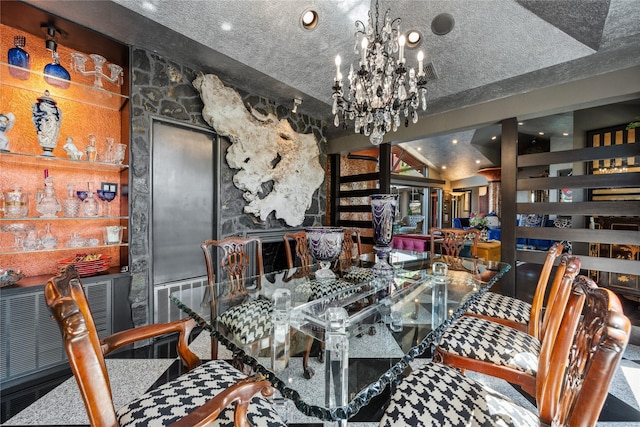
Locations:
{"points": [[500, 351]]}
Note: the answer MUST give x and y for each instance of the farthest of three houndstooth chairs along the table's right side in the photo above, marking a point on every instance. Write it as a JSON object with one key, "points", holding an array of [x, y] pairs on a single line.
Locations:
{"points": [[516, 313]]}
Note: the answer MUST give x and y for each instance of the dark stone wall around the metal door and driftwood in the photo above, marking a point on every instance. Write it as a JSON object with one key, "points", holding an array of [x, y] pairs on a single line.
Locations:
{"points": [[162, 88]]}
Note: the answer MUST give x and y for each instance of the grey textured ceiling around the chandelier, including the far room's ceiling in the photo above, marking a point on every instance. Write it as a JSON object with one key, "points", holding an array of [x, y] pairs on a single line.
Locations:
{"points": [[495, 49]]}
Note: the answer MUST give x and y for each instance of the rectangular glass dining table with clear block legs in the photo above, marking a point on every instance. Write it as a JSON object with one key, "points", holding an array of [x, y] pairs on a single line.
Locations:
{"points": [[364, 329]]}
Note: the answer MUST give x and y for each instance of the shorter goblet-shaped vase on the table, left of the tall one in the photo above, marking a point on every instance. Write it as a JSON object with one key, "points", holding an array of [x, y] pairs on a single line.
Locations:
{"points": [[325, 245]]}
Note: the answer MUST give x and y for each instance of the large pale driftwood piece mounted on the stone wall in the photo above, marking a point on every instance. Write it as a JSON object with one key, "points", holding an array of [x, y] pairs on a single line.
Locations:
{"points": [[263, 149]]}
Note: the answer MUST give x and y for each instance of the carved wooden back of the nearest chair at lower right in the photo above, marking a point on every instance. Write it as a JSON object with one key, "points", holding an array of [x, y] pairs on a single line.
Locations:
{"points": [[573, 381]]}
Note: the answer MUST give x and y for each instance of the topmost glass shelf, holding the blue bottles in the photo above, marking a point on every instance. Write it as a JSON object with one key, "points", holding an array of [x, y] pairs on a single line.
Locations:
{"points": [[75, 92]]}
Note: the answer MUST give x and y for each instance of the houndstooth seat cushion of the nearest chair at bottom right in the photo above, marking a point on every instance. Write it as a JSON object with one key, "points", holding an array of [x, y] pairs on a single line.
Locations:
{"points": [[437, 395]]}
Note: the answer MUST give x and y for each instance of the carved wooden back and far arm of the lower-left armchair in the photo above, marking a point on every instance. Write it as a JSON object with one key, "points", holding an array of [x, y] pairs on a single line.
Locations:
{"points": [[67, 301]]}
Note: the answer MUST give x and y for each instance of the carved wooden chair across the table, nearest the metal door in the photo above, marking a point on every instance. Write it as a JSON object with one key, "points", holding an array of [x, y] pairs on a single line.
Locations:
{"points": [[231, 303]]}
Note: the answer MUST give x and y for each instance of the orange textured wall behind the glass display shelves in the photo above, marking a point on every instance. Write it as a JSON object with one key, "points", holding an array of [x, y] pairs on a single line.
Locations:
{"points": [[78, 121]]}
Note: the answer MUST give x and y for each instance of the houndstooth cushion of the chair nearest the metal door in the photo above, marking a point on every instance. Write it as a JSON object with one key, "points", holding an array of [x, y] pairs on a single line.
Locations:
{"points": [[248, 322]]}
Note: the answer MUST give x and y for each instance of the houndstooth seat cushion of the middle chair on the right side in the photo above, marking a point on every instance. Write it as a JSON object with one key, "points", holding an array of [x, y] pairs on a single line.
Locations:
{"points": [[491, 342]]}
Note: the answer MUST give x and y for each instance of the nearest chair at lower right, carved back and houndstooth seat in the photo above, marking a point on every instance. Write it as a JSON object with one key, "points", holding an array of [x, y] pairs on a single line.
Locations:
{"points": [[572, 384]]}
